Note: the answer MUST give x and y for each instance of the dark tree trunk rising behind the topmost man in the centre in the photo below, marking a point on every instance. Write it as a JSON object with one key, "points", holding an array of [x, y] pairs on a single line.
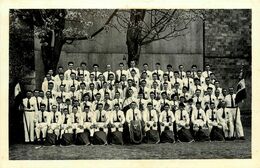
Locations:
{"points": [[133, 35]]}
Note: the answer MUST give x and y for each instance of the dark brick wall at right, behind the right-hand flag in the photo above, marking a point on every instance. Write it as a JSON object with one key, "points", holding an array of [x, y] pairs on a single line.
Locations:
{"points": [[228, 46]]}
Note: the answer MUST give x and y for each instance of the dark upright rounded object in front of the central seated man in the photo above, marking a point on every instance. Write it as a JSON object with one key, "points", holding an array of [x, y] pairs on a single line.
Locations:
{"points": [[136, 135]]}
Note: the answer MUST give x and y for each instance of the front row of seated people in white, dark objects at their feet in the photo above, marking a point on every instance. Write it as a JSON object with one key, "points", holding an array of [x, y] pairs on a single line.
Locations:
{"points": [[103, 126]]}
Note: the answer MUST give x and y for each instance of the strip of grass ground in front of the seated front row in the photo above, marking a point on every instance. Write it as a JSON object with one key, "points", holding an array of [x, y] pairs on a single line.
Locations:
{"points": [[197, 150]]}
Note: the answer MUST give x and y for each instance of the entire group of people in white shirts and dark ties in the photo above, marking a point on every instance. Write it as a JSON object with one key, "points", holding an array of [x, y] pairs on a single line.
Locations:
{"points": [[131, 105]]}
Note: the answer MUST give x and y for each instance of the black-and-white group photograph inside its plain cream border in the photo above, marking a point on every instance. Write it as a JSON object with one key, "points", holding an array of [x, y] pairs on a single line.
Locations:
{"points": [[120, 84]]}
